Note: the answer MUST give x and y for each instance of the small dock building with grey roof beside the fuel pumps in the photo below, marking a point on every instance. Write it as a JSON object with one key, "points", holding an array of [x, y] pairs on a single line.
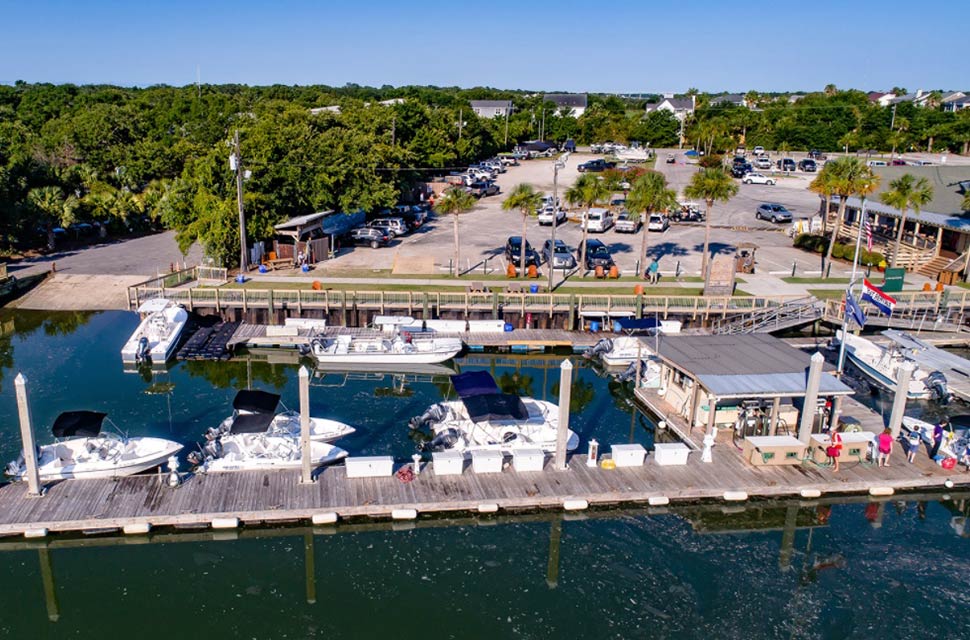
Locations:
{"points": [[754, 383]]}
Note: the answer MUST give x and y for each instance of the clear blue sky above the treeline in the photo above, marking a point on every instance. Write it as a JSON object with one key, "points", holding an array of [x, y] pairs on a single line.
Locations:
{"points": [[591, 45]]}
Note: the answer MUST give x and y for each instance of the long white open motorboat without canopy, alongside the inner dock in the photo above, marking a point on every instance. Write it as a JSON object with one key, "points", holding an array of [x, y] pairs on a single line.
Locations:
{"points": [[400, 349]]}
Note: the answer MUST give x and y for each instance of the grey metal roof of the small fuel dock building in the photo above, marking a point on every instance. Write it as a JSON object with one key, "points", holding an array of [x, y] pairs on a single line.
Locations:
{"points": [[744, 366]]}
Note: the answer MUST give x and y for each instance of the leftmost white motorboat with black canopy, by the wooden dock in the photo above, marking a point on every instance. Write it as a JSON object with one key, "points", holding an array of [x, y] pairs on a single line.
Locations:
{"points": [[82, 450]]}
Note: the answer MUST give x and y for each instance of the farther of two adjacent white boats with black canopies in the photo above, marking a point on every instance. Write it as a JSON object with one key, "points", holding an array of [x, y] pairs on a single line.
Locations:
{"points": [[263, 405]]}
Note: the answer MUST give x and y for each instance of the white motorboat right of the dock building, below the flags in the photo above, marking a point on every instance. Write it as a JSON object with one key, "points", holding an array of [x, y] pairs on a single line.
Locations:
{"points": [[881, 365]]}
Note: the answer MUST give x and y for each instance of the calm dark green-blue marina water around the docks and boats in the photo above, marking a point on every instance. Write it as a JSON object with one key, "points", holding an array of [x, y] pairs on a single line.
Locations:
{"points": [[854, 570]]}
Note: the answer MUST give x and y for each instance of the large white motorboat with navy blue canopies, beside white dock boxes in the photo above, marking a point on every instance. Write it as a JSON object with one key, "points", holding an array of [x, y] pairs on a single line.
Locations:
{"points": [[484, 418]]}
